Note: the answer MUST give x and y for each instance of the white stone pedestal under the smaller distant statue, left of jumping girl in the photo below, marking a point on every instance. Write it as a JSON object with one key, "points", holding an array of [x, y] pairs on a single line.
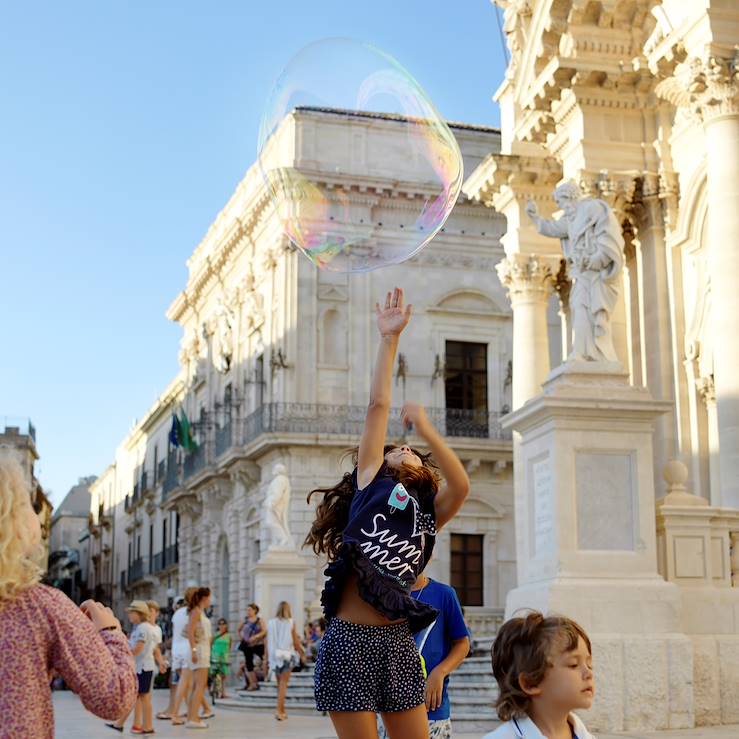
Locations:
{"points": [[280, 575]]}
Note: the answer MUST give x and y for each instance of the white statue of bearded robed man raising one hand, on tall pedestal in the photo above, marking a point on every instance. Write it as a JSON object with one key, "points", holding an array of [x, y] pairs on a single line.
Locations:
{"points": [[593, 246]]}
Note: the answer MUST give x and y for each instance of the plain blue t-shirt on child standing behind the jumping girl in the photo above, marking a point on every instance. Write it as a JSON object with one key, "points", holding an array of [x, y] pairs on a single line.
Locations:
{"points": [[448, 628]]}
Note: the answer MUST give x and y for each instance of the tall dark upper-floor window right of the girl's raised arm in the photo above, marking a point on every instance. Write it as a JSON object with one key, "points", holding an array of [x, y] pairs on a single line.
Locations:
{"points": [[466, 389]]}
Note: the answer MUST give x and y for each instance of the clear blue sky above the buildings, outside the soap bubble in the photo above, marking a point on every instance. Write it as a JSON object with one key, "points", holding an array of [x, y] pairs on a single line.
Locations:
{"points": [[124, 128]]}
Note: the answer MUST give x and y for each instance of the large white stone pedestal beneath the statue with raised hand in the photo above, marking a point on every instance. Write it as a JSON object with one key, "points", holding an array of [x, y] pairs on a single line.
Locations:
{"points": [[586, 543]]}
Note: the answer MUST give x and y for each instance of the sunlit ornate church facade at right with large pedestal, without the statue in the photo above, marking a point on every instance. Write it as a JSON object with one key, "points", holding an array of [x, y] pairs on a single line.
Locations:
{"points": [[637, 103]]}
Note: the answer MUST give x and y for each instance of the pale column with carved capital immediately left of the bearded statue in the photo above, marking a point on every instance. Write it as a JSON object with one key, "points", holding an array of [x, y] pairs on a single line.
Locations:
{"points": [[530, 283]]}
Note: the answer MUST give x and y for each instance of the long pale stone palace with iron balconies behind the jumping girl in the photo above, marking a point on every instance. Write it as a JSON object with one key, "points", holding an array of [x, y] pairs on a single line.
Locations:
{"points": [[276, 359]]}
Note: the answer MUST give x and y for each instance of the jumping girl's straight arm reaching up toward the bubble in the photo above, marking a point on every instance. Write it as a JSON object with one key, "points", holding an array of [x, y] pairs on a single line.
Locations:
{"points": [[391, 320]]}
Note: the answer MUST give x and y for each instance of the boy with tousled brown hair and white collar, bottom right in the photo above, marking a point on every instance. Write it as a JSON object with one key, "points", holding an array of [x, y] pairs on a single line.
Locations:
{"points": [[544, 669]]}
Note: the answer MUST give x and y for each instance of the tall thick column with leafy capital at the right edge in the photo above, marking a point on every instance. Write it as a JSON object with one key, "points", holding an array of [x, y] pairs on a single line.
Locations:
{"points": [[709, 88]]}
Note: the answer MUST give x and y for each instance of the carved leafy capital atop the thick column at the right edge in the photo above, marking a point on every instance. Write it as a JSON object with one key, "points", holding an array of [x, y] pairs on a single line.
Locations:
{"points": [[707, 87]]}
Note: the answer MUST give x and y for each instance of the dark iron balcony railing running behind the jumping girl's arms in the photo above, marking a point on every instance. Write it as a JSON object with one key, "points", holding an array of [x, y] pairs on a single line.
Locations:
{"points": [[348, 420]]}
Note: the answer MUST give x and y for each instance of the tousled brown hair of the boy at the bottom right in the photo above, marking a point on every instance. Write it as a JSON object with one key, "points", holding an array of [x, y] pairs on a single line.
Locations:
{"points": [[524, 648]]}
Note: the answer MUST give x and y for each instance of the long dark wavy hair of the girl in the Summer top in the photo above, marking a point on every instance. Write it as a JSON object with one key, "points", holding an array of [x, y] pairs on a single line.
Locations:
{"points": [[332, 513]]}
